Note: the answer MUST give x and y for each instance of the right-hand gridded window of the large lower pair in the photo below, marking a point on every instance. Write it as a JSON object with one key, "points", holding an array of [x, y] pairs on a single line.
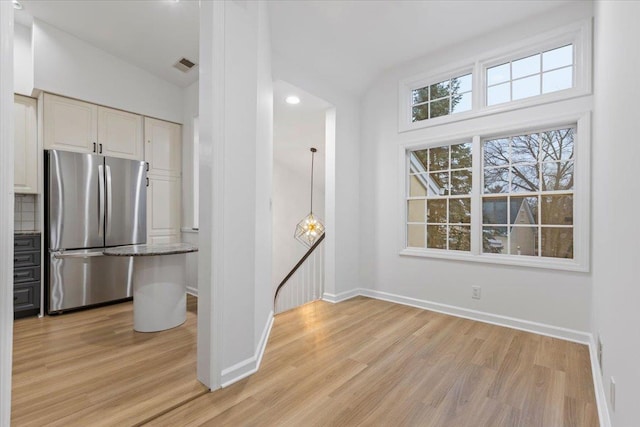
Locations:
{"points": [[527, 201]]}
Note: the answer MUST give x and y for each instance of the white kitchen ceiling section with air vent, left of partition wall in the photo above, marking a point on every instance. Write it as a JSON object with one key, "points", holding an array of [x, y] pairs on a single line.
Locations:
{"points": [[151, 34]]}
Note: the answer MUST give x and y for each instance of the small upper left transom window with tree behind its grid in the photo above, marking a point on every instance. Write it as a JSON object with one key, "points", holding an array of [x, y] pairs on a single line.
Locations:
{"points": [[442, 98]]}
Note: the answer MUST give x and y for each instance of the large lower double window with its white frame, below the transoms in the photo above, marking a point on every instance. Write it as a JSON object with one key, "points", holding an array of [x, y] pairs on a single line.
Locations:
{"points": [[505, 196]]}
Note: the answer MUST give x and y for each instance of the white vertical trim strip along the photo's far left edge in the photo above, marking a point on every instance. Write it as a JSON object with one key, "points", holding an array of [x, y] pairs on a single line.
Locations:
{"points": [[6, 208]]}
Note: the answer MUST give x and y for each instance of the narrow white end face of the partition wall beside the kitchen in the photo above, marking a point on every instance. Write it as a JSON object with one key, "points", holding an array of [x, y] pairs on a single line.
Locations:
{"points": [[211, 173]]}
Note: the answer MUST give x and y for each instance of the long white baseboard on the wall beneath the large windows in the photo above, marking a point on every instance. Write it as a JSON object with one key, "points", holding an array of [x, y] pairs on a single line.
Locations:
{"points": [[481, 316]]}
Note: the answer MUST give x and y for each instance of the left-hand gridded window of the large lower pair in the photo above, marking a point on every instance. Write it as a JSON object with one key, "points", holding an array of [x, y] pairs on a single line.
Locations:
{"points": [[439, 198]]}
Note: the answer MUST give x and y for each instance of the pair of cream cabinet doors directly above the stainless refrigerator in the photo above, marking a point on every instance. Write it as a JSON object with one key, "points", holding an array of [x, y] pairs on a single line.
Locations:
{"points": [[82, 127]]}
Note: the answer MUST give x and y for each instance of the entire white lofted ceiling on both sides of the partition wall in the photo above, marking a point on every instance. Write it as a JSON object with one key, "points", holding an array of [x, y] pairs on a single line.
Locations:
{"points": [[347, 43]]}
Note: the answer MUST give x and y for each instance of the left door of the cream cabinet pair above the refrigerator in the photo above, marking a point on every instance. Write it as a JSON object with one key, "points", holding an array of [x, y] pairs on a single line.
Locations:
{"points": [[70, 125]]}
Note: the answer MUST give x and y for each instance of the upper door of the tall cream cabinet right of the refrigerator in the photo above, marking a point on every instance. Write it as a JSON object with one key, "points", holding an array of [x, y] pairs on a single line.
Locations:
{"points": [[162, 147]]}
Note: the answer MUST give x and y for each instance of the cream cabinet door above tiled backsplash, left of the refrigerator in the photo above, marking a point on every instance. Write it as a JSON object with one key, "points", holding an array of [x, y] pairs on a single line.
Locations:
{"points": [[25, 145]]}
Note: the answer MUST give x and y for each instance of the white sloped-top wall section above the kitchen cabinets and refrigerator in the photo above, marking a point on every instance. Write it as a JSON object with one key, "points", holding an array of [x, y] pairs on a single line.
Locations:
{"points": [[66, 65]]}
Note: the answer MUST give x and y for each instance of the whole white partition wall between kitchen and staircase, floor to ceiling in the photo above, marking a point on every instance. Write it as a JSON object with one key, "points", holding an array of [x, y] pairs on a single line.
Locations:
{"points": [[234, 165]]}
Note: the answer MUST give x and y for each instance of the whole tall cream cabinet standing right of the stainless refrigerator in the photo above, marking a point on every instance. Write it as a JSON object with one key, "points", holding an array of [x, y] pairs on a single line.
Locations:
{"points": [[163, 156]]}
